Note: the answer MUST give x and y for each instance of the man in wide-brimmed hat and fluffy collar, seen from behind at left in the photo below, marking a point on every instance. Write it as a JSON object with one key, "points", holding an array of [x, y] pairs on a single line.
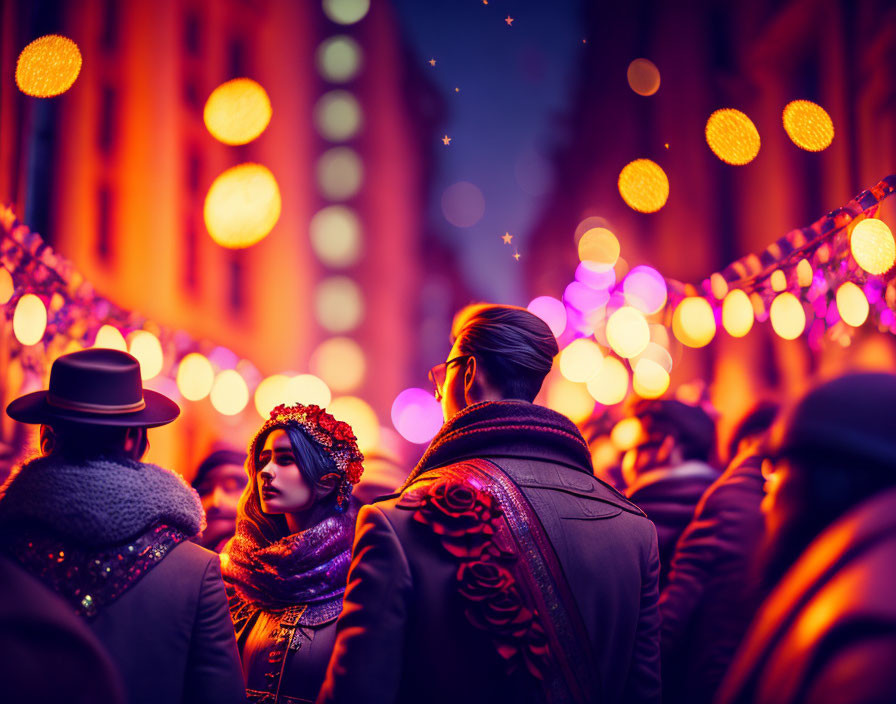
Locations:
{"points": [[110, 533]]}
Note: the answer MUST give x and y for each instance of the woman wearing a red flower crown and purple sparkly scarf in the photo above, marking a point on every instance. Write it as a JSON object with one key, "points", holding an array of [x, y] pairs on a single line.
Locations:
{"points": [[286, 567]]}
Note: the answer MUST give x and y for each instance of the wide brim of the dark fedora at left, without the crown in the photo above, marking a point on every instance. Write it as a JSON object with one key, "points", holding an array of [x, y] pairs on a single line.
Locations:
{"points": [[33, 408]]}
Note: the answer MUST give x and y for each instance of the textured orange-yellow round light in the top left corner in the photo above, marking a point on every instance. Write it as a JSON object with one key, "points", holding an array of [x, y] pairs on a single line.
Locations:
{"points": [[48, 66]]}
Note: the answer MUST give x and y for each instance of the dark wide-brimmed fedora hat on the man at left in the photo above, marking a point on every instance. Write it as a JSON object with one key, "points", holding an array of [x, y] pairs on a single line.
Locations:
{"points": [[96, 387]]}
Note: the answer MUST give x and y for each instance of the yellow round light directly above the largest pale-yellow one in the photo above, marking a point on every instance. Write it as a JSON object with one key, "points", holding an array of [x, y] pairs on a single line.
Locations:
{"points": [[237, 111]]}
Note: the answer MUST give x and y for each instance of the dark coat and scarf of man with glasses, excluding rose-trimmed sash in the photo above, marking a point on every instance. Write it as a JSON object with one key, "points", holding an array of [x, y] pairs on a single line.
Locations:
{"points": [[403, 635]]}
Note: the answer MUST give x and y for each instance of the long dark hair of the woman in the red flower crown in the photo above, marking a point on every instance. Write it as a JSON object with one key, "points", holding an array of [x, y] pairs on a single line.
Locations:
{"points": [[313, 463]]}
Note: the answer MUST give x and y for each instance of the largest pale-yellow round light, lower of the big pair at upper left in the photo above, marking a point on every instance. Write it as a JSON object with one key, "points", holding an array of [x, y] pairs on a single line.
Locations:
{"points": [[242, 206]]}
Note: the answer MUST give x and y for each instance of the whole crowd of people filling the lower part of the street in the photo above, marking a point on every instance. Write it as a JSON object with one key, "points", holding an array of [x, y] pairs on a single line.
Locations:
{"points": [[506, 566]]}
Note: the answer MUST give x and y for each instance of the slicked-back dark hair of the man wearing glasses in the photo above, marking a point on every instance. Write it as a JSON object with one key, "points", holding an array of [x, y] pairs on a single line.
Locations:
{"points": [[515, 348]]}
